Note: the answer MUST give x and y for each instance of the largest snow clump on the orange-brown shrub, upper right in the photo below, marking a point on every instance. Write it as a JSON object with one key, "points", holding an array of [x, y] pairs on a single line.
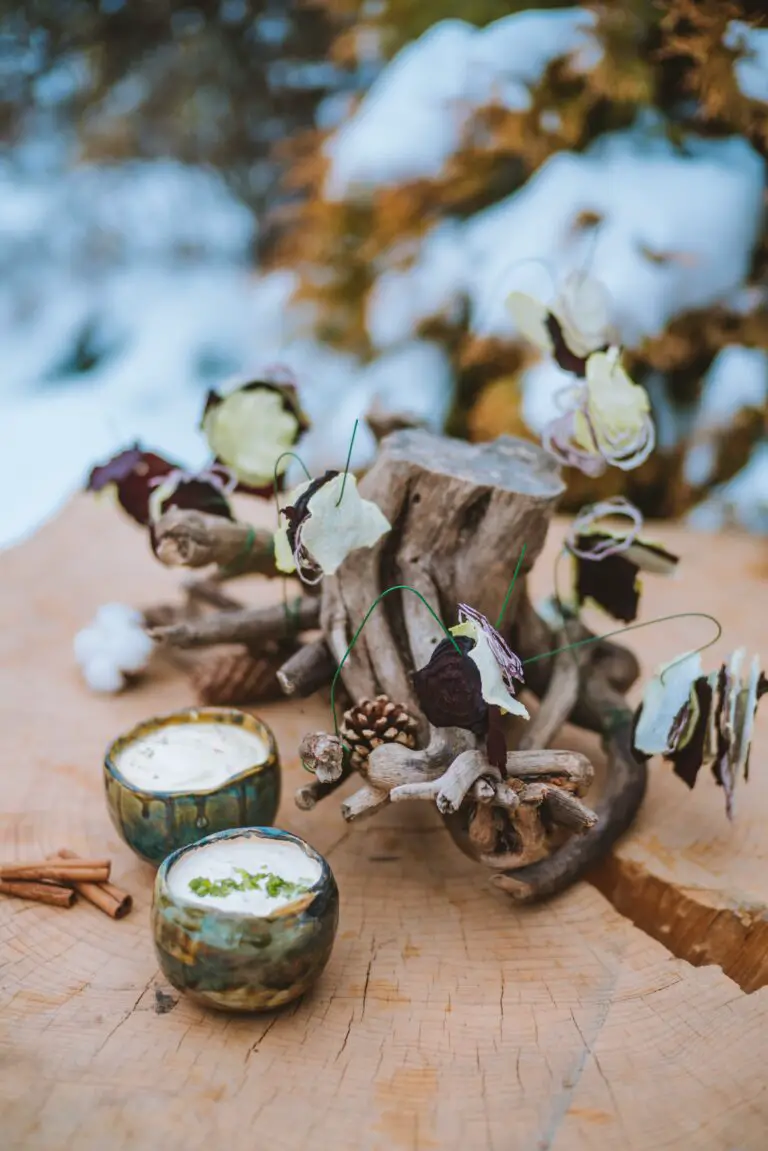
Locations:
{"points": [[530, 240]]}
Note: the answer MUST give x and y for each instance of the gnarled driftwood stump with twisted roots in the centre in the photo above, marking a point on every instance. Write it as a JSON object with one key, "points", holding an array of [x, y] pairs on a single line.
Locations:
{"points": [[460, 516]]}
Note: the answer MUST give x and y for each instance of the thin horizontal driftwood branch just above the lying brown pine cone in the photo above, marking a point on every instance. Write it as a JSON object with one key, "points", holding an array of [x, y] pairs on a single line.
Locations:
{"points": [[249, 626]]}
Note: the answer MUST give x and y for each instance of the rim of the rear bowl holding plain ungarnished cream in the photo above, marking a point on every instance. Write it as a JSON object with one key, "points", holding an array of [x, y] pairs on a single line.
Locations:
{"points": [[234, 716]]}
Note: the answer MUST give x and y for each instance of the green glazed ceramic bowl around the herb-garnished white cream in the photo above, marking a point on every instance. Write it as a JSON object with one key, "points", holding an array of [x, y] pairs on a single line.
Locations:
{"points": [[241, 962]]}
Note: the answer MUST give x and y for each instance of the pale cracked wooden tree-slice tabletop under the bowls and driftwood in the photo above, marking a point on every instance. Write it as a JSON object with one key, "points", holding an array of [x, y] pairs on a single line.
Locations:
{"points": [[447, 1018]]}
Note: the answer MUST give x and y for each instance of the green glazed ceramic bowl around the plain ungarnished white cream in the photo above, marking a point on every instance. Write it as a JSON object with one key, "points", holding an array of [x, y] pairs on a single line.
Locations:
{"points": [[157, 824]]}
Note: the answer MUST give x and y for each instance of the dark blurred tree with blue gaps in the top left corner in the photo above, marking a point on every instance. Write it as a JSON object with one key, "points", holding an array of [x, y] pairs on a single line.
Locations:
{"points": [[208, 82]]}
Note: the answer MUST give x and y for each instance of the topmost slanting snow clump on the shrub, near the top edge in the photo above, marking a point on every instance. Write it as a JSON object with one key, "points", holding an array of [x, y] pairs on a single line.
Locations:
{"points": [[413, 118]]}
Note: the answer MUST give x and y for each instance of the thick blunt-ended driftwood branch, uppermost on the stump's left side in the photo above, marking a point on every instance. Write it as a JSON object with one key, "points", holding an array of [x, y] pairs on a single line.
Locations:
{"points": [[194, 539]]}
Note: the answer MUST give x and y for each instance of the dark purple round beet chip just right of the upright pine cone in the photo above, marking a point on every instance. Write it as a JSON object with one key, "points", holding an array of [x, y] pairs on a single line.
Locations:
{"points": [[450, 691]]}
